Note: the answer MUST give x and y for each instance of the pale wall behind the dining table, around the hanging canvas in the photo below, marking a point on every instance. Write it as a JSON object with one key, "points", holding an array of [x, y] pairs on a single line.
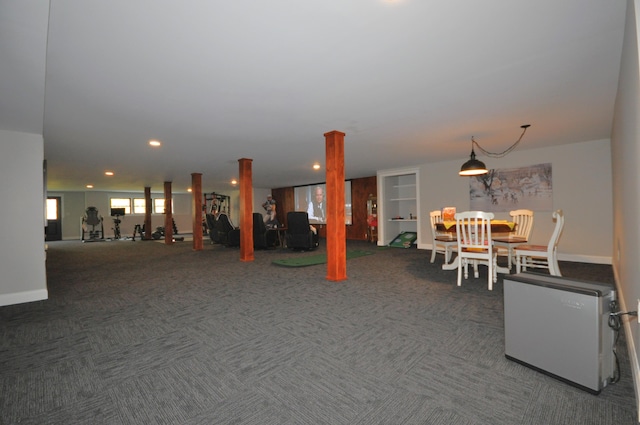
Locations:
{"points": [[582, 192]]}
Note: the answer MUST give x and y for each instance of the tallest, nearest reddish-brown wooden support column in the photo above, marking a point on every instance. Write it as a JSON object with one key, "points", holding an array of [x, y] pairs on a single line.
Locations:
{"points": [[336, 231]]}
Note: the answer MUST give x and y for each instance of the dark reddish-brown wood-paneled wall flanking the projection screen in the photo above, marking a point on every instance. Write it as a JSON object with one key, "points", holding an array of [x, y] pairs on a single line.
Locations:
{"points": [[360, 191]]}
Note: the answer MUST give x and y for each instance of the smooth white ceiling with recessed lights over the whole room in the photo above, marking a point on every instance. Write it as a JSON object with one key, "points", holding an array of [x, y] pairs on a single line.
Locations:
{"points": [[408, 81]]}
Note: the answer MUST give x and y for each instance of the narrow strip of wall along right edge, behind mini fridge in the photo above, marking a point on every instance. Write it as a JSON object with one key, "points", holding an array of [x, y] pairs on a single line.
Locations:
{"points": [[626, 184]]}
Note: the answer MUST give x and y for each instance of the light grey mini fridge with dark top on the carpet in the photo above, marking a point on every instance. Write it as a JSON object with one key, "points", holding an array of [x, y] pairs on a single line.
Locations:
{"points": [[559, 326]]}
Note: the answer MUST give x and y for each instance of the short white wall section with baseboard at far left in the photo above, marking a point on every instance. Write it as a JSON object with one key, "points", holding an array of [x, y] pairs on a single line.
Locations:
{"points": [[22, 249]]}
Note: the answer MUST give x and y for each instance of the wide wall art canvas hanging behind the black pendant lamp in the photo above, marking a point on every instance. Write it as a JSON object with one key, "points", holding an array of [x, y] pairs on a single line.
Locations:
{"points": [[513, 188]]}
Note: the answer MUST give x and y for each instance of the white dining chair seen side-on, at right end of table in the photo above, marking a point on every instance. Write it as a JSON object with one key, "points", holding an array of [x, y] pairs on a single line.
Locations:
{"points": [[542, 256]]}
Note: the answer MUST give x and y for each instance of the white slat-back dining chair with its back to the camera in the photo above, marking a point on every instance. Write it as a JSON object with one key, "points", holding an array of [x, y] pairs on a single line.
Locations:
{"points": [[473, 231]]}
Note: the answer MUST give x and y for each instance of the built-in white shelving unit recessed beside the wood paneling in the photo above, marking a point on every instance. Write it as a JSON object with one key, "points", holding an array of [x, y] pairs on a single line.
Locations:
{"points": [[398, 206]]}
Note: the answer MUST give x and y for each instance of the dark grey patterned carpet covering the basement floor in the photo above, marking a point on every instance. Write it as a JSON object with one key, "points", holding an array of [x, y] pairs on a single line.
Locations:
{"points": [[143, 333]]}
